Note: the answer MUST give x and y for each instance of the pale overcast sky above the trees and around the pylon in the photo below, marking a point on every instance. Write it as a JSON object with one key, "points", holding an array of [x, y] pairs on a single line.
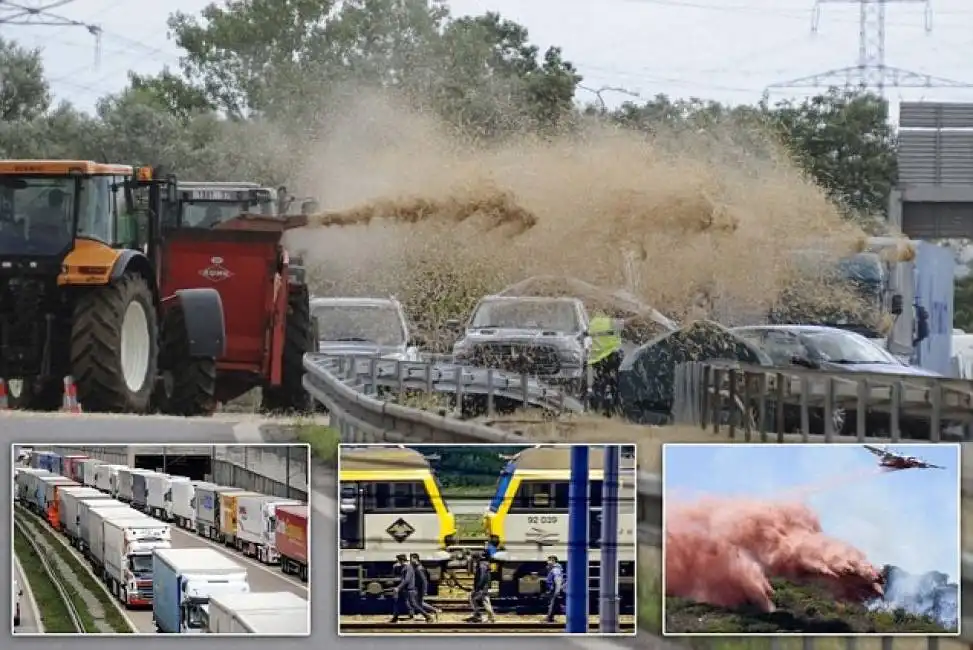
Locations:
{"points": [[645, 46]]}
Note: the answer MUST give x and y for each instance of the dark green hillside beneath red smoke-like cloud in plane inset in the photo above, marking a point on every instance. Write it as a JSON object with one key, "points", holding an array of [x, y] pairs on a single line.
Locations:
{"points": [[800, 609]]}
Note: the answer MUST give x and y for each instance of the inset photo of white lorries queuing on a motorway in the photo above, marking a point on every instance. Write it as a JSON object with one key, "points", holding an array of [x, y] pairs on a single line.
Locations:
{"points": [[146, 539]]}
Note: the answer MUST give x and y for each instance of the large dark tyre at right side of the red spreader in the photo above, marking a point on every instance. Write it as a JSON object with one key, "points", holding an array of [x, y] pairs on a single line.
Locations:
{"points": [[298, 340]]}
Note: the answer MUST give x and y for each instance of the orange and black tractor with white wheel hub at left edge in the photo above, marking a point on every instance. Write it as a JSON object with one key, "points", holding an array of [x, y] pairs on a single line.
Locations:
{"points": [[81, 252]]}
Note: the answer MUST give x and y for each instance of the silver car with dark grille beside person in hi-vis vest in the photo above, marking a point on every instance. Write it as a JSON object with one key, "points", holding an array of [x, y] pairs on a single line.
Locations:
{"points": [[543, 337]]}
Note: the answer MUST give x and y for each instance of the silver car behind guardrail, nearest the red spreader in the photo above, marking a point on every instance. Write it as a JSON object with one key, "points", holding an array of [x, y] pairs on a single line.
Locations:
{"points": [[365, 326]]}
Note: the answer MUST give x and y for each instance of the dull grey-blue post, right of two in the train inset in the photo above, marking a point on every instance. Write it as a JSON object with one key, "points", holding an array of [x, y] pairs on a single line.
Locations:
{"points": [[608, 592]]}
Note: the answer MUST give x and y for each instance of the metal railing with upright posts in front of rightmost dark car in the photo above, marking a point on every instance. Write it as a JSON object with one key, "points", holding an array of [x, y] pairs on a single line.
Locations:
{"points": [[758, 399]]}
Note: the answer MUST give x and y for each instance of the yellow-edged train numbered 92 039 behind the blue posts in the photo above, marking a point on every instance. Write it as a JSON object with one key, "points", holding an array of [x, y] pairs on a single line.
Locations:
{"points": [[527, 521]]}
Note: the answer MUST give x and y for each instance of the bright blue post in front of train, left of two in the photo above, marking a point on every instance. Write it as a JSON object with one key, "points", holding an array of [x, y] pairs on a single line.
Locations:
{"points": [[577, 596]]}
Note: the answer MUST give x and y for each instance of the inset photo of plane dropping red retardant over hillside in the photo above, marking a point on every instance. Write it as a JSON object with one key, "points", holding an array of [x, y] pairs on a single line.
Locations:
{"points": [[812, 539]]}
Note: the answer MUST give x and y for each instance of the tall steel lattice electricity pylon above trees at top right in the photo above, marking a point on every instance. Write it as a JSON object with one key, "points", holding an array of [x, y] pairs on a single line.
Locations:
{"points": [[871, 72]]}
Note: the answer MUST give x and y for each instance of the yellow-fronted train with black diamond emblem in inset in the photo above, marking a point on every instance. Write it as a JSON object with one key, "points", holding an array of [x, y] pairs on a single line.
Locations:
{"points": [[390, 503]]}
